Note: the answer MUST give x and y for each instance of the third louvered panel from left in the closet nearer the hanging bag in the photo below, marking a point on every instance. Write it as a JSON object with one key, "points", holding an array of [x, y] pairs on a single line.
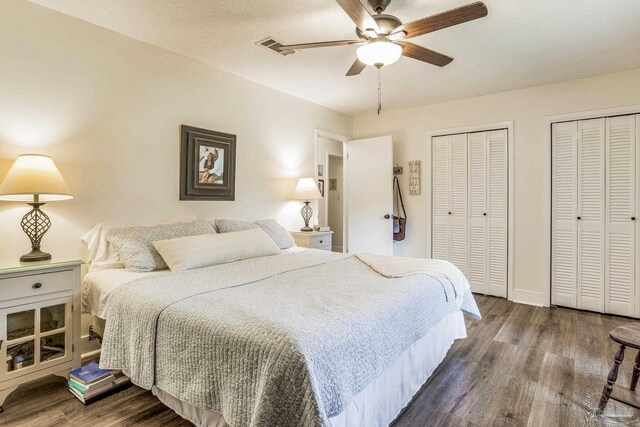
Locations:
{"points": [[478, 277]]}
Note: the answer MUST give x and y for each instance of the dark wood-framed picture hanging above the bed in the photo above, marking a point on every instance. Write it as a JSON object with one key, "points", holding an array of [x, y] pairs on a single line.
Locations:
{"points": [[207, 164]]}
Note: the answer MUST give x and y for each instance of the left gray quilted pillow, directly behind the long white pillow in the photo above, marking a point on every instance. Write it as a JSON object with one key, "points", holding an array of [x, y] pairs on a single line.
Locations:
{"points": [[135, 244]]}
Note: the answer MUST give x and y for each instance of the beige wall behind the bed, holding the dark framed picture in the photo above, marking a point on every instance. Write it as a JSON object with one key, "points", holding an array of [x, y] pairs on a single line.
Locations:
{"points": [[108, 109]]}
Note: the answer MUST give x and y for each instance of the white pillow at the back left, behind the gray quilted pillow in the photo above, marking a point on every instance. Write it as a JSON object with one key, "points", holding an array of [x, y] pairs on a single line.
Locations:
{"points": [[102, 254]]}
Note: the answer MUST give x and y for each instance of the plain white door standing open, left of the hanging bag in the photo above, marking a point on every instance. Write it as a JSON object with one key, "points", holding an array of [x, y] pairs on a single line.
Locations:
{"points": [[370, 195]]}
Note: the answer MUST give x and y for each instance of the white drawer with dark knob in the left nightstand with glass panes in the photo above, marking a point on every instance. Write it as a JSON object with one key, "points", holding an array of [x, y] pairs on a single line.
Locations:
{"points": [[36, 284]]}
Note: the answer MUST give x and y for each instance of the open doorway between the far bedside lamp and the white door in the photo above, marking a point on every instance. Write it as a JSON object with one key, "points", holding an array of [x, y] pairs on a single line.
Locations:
{"points": [[330, 175]]}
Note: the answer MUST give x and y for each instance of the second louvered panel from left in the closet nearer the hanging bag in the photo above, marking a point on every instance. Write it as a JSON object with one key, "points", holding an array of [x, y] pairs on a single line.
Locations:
{"points": [[459, 216]]}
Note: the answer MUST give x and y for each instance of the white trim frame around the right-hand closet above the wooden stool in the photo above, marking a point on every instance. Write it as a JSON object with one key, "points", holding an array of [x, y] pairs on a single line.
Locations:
{"points": [[586, 115]]}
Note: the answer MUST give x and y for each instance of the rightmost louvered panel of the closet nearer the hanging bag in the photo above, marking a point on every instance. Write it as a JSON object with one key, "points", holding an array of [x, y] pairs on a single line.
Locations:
{"points": [[497, 212]]}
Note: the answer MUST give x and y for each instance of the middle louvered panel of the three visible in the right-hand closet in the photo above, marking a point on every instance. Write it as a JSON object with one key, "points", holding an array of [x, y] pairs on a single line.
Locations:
{"points": [[591, 214]]}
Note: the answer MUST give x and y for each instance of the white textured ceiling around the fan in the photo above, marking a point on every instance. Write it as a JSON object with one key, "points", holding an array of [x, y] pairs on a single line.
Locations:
{"points": [[521, 43]]}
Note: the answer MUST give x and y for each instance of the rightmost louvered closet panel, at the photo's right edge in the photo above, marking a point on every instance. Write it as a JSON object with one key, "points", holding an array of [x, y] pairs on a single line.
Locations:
{"points": [[620, 281]]}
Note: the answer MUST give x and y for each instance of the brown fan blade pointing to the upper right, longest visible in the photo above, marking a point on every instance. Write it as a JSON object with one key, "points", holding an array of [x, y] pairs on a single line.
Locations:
{"points": [[443, 20]]}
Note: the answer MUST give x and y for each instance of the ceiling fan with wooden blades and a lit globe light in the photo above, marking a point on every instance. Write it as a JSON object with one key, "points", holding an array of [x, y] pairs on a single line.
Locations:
{"points": [[381, 37]]}
